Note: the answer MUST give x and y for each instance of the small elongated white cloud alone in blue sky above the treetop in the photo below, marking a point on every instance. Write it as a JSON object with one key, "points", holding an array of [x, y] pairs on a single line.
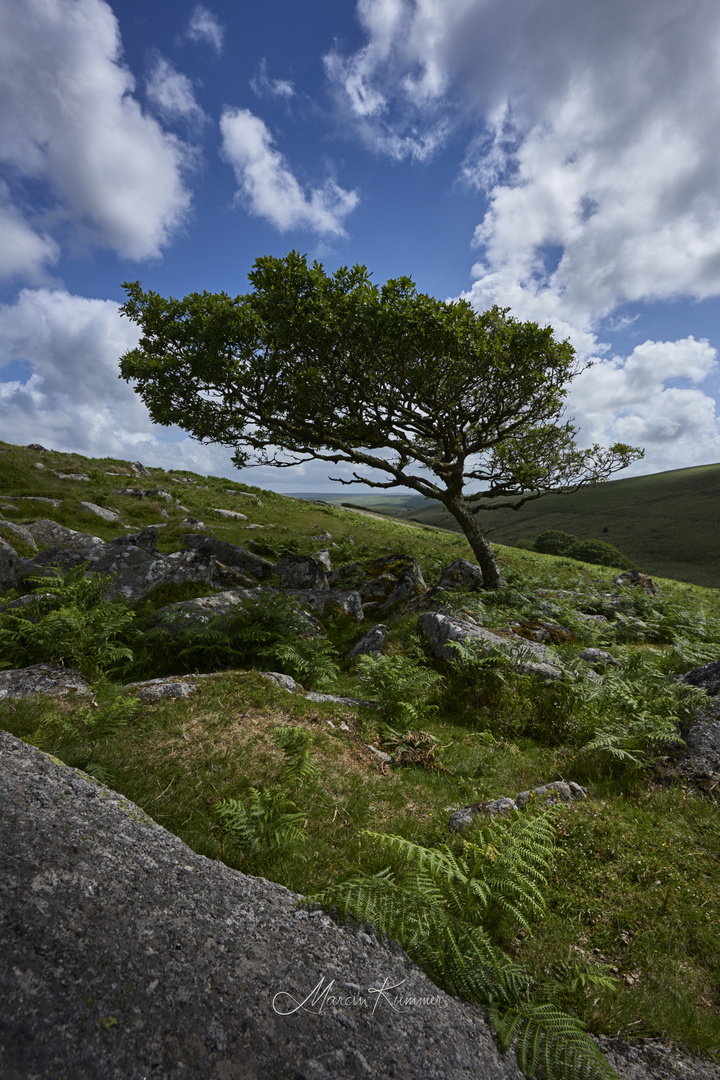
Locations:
{"points": [[270, 190]]}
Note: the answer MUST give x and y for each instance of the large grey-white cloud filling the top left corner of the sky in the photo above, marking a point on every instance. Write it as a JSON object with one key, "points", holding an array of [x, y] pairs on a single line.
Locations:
{"points": [[71, 128]]}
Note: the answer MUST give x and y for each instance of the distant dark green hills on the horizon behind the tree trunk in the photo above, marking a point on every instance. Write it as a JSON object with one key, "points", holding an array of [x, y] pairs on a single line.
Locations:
{"points": [[668, 523]]}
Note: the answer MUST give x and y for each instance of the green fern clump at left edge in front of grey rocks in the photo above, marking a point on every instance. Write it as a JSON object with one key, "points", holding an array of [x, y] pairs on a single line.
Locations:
{"points": [[71, 623]]}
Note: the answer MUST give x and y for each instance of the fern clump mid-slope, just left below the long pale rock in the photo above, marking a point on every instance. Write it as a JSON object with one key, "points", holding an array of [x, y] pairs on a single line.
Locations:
{"points": [[402, 688]]}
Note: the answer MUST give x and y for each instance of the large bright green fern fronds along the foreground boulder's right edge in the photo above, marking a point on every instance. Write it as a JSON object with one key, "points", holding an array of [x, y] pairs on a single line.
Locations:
{"points": [[450, 910]]}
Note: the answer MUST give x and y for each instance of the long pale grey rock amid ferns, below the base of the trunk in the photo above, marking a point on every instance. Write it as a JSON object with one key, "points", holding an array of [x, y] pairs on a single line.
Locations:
{"points": [[531, 658]]}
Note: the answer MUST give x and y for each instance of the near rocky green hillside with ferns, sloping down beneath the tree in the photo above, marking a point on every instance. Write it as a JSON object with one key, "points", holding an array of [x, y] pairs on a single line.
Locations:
{"points": [[349, 764]]}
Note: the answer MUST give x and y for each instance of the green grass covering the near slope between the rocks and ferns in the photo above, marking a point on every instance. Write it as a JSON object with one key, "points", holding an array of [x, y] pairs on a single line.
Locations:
{"points": [[636, 881]]}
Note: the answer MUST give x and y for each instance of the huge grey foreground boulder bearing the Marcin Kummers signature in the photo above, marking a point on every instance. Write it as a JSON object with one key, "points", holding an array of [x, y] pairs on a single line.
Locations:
{"points": [[126, 955]]}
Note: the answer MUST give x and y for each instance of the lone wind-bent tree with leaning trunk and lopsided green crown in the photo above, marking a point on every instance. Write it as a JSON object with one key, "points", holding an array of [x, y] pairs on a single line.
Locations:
{"points": [[333, 368]]}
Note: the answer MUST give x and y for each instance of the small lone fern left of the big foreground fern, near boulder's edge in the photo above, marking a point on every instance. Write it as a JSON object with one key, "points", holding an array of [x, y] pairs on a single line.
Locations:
{"points": [[266, 829]]}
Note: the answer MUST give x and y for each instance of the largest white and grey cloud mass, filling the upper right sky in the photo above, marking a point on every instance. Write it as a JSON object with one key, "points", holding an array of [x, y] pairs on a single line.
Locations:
{"points": [[589, 130]]}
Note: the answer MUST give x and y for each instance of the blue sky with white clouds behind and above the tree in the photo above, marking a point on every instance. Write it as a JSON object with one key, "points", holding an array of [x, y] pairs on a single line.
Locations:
{"points": [[561, 159]]}
